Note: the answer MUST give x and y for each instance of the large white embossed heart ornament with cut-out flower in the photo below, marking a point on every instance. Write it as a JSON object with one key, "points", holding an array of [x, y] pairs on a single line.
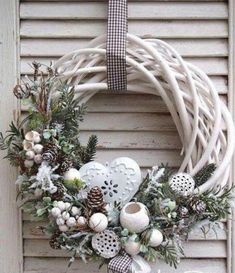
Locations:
{"points": [[118, 180]]}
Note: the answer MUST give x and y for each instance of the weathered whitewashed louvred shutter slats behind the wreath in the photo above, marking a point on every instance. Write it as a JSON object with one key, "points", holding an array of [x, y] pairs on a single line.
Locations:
{"points": [[138, 126]]}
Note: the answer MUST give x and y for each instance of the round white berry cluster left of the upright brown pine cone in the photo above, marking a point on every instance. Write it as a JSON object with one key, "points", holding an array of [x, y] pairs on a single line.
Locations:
{"points": [[66, 215]]}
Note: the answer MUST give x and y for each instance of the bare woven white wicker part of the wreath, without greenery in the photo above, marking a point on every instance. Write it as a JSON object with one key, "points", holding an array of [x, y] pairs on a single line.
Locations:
{"points": [[203, 122]]}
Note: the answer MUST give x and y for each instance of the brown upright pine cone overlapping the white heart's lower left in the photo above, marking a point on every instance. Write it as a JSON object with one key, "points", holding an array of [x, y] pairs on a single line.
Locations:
{"points": [[95, 200]]}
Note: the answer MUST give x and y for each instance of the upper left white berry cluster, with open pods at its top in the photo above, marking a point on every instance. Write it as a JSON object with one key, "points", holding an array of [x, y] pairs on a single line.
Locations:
{"points": [[33, 149]]}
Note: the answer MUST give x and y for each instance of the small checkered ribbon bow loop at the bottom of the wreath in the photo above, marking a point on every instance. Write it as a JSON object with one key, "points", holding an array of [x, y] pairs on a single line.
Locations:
{"points": [[120, 264]]}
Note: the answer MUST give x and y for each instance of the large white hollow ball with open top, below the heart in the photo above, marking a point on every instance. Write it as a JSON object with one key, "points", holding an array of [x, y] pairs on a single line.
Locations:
{"points": [[134, 217]]}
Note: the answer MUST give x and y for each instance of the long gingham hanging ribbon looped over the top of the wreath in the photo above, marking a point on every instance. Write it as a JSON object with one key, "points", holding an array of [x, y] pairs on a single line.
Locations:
{"points": [[116, 45]]}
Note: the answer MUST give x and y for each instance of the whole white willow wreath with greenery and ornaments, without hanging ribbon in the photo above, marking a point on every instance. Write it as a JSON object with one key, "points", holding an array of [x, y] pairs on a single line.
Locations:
{"points": [[109, 212]]}
